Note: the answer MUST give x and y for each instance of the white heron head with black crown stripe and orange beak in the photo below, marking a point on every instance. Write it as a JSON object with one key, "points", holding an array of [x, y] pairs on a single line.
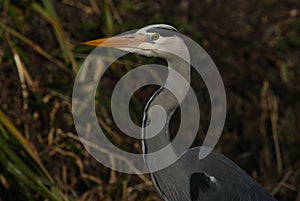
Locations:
{"points": [[153, 40]]}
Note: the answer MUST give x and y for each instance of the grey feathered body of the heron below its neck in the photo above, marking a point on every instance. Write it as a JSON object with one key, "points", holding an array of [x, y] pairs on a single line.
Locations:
{"points": [[213, 178]]}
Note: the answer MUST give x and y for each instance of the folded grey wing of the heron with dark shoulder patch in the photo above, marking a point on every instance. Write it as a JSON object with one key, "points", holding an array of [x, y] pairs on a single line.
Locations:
{"points": [[218, 178]]}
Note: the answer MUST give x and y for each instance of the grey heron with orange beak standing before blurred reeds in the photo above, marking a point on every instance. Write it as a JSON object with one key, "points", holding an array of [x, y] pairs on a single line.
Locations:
{"points": [[188, 179]]}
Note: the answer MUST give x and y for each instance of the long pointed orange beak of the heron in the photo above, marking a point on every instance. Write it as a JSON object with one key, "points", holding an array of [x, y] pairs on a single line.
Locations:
{"points": [[123, 41]]}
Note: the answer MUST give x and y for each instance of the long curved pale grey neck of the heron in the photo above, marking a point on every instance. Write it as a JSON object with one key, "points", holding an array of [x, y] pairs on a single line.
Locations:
{"points": [[165, 98]]}
